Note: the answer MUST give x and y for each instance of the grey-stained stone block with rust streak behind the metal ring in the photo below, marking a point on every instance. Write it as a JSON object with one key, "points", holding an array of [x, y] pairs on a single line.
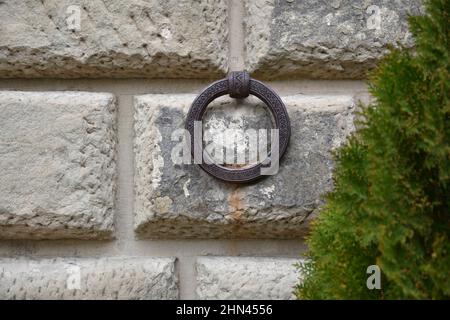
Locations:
{"points": [[182, 201]]}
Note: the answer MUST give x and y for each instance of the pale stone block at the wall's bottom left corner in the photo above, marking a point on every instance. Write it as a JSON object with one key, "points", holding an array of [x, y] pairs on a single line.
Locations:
{"points": [[105, 278]]}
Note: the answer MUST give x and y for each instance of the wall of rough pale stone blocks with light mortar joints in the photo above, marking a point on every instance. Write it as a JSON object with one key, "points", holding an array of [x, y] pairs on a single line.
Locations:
{"points": [[92, 205]]}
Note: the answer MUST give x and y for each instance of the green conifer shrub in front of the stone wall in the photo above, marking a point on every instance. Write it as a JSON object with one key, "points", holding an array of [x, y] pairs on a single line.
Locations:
{"points": [[390, 205]]}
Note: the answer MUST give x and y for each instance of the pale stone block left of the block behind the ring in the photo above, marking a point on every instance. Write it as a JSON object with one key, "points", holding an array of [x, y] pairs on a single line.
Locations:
{"points": [[57, 164]]}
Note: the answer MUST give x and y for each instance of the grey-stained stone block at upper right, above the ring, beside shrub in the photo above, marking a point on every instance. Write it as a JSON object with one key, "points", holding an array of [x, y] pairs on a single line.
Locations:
{"points": [[323, 39]]}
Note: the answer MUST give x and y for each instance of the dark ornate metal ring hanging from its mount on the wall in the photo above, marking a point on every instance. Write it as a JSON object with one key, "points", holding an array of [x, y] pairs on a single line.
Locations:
{"points": [[239, 85]]}
